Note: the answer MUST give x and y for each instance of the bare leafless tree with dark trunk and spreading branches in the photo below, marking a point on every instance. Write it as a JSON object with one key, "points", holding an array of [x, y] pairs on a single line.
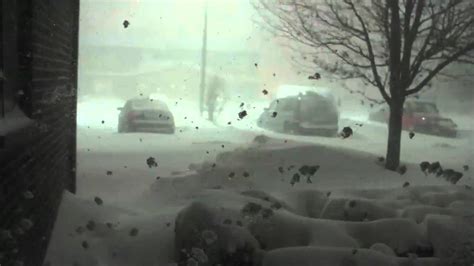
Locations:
{"points": [[396, 46]]}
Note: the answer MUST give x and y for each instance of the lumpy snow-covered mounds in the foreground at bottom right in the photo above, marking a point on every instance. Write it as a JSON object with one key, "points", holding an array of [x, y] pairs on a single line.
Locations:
{"points": [[282, 231]]}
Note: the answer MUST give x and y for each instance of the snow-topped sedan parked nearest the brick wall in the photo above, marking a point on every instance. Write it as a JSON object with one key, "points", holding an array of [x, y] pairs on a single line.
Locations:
{"points": [[145, 115]]}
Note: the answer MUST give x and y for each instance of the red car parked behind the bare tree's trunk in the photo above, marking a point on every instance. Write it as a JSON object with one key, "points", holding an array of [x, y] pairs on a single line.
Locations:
{"points": [[420, 116]]}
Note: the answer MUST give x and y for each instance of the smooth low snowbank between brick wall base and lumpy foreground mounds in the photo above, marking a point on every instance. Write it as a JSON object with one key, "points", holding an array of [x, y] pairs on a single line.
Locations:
{"points": [[95, 235]]}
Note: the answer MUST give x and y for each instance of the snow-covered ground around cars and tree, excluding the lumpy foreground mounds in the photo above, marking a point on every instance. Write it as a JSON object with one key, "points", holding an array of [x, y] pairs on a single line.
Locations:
{"points": [[124, 212]]}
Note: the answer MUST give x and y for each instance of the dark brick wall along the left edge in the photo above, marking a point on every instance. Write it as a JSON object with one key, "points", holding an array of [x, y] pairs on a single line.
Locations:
{"points": [[39, 163]]}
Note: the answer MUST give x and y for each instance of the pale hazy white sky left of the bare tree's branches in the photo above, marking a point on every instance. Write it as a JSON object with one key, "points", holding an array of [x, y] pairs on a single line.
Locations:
{"points": [[170, 24]]}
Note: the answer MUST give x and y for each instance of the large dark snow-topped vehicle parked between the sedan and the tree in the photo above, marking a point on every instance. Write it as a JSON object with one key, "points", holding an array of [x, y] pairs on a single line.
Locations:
{"points": [[309, 113]]}
